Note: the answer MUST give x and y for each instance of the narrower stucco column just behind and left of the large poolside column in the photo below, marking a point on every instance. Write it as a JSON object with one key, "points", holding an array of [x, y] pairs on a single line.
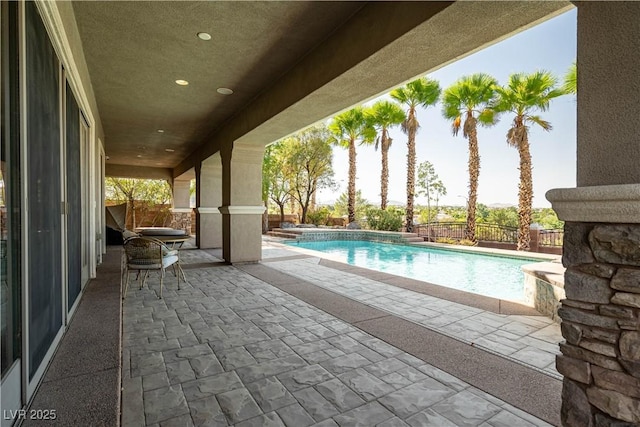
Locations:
{"points": [[208, 199]]}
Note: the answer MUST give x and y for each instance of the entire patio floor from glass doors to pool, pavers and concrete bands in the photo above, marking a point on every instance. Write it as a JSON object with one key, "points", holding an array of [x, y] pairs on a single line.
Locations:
{"points": [[278, 343]]}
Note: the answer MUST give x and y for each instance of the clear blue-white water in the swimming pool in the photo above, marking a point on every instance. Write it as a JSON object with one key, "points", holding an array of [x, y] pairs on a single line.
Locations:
{"points": [[493, 276]]}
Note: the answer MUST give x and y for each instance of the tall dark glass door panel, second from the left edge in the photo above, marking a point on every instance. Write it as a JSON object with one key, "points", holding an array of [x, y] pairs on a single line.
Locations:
{"points": [[44, 210]]}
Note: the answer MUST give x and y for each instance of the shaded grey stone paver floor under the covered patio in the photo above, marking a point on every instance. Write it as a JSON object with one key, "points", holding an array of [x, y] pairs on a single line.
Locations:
{"points": [[230, 349]]}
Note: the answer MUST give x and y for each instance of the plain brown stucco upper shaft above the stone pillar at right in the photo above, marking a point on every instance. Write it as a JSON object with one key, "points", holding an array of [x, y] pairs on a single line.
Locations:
{"points": [[608, 93]]}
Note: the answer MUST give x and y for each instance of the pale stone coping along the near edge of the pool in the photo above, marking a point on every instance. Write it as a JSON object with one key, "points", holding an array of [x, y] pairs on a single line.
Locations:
{"points": [[483, 302]]}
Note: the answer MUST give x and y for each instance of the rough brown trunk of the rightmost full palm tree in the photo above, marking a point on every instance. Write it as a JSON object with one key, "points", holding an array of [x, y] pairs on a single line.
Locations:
{"points": [[525, 194]]}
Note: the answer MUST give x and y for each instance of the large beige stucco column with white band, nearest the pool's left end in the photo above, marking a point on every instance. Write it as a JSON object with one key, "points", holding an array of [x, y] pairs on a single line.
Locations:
{"points": [[242, 206]]}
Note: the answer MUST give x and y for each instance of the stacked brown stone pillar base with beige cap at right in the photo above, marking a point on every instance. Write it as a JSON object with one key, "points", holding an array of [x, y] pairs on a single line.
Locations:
{"points": [[600, 359]]}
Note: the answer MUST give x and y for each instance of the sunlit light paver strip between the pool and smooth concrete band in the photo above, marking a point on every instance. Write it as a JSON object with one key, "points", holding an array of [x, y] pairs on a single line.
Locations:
{"points": [[530, 340]]}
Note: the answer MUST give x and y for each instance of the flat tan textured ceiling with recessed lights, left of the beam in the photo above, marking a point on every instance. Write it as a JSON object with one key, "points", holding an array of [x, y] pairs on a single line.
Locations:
{"points": [[136, 50]]}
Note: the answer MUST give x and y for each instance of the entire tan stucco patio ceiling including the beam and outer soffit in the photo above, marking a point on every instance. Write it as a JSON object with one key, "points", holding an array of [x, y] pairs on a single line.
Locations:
{"points": [[289, 64]]}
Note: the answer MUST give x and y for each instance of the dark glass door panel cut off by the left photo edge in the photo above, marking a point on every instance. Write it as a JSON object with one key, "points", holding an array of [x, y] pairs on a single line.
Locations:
{"points": [[10, 217]]}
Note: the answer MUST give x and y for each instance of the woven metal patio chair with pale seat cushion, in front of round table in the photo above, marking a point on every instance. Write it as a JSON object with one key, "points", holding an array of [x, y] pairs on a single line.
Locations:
{"points": [[144, 254]]}
